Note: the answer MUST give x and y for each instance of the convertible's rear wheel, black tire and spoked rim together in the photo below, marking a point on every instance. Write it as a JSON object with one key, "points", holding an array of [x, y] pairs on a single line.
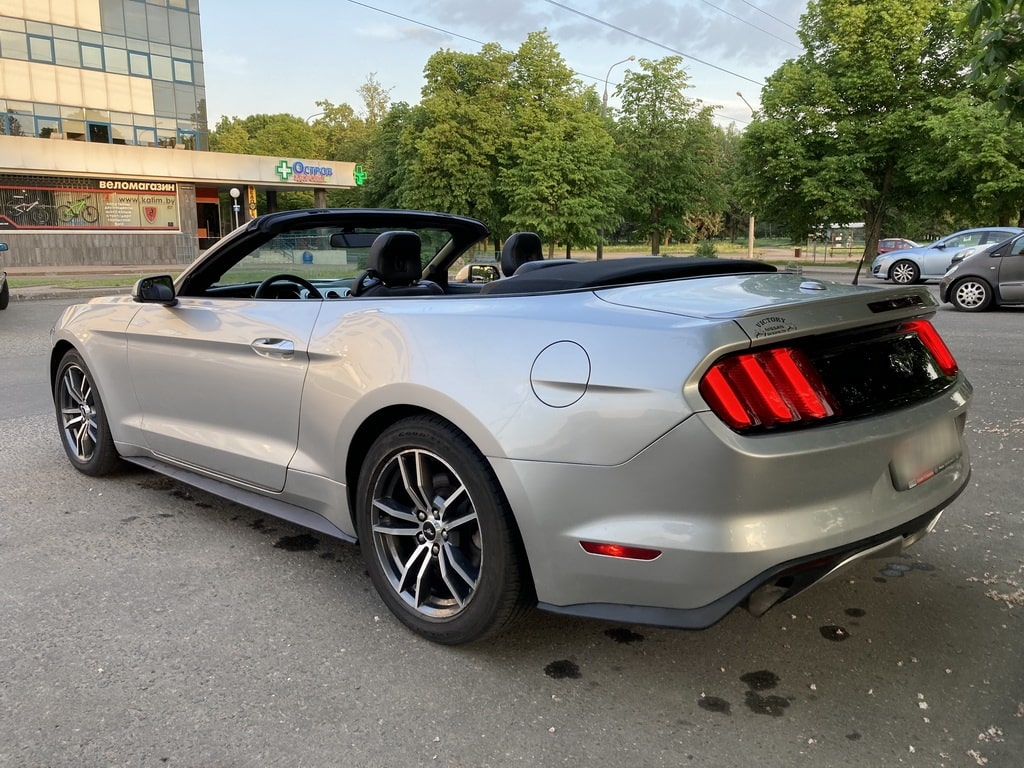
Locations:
{"points": [[438, 535]]}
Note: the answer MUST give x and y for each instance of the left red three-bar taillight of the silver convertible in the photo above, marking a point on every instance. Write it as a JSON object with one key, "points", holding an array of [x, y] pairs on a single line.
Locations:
{"points": [[771, 389]]}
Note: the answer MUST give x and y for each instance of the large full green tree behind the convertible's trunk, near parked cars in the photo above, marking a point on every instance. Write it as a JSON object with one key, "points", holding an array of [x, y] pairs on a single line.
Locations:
{"points": [[841, 125]]}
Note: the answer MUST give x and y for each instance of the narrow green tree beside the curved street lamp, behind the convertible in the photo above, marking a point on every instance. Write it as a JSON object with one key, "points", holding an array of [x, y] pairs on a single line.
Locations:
{"points": [[668, 144]]}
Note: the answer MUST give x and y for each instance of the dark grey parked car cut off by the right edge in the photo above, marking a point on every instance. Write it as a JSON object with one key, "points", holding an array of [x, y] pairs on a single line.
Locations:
{"points": [[993, 277]]}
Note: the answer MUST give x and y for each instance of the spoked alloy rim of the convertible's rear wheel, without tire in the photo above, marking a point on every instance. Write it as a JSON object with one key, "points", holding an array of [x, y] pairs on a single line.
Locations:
{"points": [[426, 534]]}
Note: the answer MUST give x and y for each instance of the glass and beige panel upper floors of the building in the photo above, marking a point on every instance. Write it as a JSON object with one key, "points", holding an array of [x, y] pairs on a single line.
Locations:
{"points": [[124, 72]]}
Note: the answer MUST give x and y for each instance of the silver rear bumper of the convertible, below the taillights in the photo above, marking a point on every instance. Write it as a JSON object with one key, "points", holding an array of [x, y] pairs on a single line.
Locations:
{"points": [[729, 515]]}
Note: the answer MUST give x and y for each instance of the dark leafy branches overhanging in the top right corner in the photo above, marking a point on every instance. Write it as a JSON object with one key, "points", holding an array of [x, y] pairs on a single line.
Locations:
{"points": [[999, 31]]}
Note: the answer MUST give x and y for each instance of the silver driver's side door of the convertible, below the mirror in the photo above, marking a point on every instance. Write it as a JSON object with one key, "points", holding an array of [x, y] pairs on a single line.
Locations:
{"points": [[220, 382]]}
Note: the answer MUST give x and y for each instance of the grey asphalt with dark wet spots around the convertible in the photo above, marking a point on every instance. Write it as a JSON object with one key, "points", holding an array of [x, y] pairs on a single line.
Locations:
{"points": [[144, 624]]}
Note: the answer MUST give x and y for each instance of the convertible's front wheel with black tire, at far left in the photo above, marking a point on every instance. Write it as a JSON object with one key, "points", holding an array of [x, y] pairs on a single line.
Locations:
{"points": [[86, 434]]}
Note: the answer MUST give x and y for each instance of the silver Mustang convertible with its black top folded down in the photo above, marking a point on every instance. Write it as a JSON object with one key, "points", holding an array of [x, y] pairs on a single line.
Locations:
{"points": [[646, 441]]}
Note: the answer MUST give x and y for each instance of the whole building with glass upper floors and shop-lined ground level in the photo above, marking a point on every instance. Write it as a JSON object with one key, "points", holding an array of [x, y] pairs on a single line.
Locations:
{"points": [[104, 138]]}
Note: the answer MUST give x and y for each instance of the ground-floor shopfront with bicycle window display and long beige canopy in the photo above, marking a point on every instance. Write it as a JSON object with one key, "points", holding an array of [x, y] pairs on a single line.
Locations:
{"points": [[70, 204]]}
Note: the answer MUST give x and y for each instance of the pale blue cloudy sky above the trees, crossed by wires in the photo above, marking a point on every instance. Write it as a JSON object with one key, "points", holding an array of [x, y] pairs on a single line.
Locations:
{"points": [[273, 57]]}
